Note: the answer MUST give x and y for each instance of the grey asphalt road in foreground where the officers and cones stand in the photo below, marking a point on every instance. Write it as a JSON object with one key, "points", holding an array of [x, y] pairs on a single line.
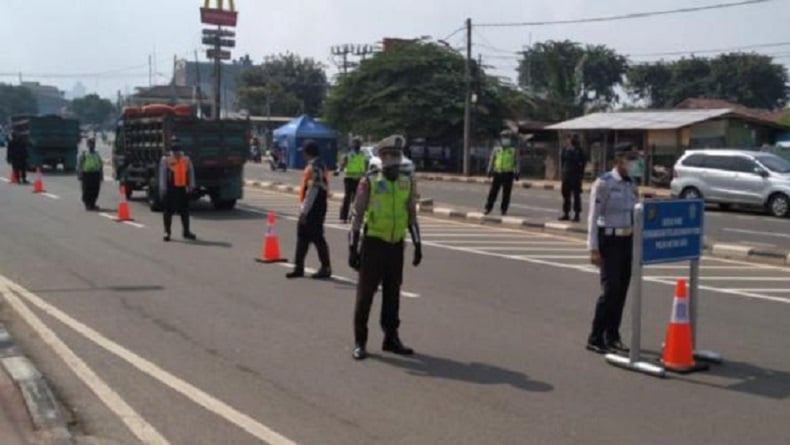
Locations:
{"points": [[207, 346]]}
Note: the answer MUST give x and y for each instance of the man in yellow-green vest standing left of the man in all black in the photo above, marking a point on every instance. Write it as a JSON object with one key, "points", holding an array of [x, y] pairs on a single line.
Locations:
{"points": [[504, 167]]}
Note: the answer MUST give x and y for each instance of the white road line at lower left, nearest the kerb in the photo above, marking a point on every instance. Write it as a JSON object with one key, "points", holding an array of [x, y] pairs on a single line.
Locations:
{"points": [[136, 424]]}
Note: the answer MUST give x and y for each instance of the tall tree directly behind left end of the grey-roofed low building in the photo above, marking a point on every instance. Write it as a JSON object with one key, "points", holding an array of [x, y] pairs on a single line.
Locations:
{"points": [[571, 78]]}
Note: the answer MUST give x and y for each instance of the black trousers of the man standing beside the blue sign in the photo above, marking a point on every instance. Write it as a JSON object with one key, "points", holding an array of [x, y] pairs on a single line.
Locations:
{"points": [[616, 257]]}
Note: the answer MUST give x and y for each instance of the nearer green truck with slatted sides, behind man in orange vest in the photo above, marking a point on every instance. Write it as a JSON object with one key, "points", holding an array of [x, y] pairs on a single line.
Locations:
{"points": [[217, 149]]}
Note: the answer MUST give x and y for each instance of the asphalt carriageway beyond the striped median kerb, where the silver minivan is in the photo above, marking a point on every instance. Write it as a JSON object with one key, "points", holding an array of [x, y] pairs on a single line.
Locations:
{"points": [[732, 226]]}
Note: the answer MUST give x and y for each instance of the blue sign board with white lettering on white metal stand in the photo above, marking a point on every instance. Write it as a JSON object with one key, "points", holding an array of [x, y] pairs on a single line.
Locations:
{"points": [[666, 231]]}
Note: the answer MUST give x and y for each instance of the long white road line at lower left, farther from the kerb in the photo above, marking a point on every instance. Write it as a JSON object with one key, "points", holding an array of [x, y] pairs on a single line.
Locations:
{"points": [[198, 396]]}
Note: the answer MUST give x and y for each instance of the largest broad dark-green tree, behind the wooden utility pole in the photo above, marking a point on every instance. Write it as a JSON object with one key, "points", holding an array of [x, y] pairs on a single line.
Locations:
{"points": [[417, 88]]}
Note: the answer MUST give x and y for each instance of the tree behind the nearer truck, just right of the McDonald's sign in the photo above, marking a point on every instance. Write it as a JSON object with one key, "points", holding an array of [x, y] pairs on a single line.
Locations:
{"points": [[283, 85]]}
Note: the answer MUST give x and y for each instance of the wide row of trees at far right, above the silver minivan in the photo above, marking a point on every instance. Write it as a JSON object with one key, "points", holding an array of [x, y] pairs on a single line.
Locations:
{"points": [[752, 80]]}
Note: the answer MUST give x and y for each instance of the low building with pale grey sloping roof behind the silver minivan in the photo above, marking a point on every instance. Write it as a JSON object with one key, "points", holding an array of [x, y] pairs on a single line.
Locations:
{"points": [[665, 134]]}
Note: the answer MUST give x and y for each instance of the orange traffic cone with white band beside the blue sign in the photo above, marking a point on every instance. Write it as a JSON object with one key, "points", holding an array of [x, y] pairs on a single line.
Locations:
{"points": [[678, 355]]}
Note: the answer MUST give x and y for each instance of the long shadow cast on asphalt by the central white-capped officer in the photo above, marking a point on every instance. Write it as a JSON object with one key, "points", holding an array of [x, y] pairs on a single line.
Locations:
{"points": [[480, 373]]}
